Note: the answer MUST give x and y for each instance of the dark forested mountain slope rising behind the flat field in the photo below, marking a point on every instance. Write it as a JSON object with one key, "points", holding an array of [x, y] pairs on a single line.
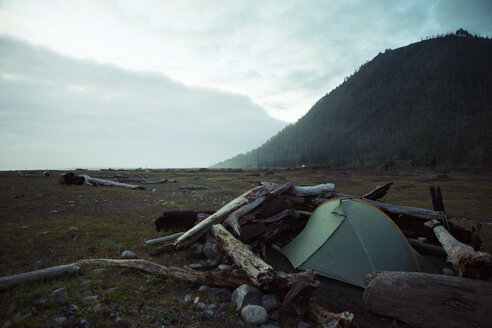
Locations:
{"points": [[428, 103]]}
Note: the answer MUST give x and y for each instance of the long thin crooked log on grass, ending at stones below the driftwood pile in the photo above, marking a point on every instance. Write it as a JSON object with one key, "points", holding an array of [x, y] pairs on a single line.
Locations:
{"points": [[220, 279]]}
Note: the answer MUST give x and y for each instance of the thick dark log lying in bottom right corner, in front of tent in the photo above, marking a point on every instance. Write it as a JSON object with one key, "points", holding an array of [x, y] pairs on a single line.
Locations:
{"points": [[429, 300]]}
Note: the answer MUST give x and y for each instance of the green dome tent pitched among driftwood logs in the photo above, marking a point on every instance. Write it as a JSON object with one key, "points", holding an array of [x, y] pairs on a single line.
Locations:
{"points": [[345, 239]]}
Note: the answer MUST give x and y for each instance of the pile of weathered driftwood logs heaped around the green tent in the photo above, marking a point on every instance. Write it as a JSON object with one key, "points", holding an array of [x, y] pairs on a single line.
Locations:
{"points": [[271, 215]]}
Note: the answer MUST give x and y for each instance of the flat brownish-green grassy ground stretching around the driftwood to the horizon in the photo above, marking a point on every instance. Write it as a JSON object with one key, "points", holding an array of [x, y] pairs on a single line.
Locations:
{"points": [[44, 224]]}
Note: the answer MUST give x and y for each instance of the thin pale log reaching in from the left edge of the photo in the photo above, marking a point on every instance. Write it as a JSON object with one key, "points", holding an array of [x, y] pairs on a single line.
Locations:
{"points": [[43, 274]]}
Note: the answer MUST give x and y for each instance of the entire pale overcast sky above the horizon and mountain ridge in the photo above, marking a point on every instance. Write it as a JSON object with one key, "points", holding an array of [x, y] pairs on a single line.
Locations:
{"points": [[186, 83]]}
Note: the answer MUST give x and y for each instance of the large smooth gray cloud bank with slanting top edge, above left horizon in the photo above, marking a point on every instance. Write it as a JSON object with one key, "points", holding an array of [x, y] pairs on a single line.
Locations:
{"points": [[60, 112]]}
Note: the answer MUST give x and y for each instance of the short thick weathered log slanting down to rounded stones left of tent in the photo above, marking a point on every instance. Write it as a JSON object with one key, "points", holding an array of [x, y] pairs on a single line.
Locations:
{"points": [[260, 273]]}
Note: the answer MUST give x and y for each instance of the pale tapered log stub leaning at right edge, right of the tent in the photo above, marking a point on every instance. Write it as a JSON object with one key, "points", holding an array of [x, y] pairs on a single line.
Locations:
{"points": [[468, 263]]}
